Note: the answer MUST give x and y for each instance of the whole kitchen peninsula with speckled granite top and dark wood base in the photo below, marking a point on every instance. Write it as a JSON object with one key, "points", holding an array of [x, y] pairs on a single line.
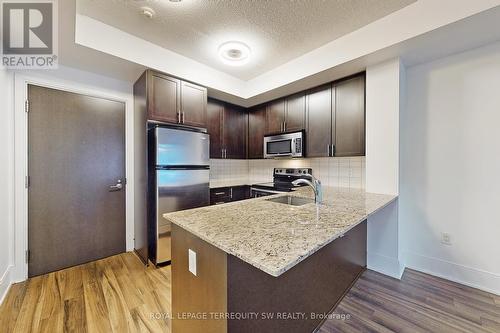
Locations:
{"points": [[271, 257]]}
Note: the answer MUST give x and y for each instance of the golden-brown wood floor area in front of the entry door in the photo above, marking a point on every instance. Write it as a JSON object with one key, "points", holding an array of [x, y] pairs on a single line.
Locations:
{"points": [[116, 294]]}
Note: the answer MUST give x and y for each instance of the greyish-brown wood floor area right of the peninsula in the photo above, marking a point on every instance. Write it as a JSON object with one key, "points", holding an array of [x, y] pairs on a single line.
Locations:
{"points": [[418, 303]]}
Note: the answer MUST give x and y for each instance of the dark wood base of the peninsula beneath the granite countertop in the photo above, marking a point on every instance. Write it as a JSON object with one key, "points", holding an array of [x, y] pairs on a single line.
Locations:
{"points": [[226, 284]]}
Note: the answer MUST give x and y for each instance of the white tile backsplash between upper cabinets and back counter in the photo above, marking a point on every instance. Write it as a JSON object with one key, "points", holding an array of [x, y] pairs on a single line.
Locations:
{"points": [[332, 171]]}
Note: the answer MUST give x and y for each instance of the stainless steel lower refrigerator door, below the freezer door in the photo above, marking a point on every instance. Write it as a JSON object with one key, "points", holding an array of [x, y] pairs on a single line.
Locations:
{"points": [[177, 190]]}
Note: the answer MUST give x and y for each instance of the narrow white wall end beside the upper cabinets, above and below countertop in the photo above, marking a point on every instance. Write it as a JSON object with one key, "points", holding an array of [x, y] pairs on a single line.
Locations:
{"points": [[384, 85]]}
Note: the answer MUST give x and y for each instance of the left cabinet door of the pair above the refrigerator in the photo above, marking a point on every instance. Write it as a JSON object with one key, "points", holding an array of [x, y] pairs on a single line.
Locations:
{"points": [[164, 92]]}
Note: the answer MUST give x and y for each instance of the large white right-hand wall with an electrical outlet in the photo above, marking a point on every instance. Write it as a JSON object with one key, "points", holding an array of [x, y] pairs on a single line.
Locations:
{"points": [[450, 167]]}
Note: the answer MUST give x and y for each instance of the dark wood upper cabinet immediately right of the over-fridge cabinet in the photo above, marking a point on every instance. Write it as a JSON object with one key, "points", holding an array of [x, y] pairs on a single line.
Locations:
{"points": [[227, 126]]}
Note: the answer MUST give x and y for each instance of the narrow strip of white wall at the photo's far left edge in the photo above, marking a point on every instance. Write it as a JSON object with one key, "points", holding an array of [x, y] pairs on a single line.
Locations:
{"points": [[6, 180]]}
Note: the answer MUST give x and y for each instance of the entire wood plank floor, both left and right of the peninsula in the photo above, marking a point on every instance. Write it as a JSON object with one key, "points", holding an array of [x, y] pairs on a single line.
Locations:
{"points": [[119, 294]]}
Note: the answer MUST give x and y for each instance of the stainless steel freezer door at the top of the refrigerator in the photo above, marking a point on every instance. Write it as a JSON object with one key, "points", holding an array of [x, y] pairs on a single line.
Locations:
{"points": [[181, 147]]}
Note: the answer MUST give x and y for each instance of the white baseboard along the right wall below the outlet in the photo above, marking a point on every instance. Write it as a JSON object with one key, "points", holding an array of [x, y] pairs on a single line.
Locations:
{"points": [[469, 276]]}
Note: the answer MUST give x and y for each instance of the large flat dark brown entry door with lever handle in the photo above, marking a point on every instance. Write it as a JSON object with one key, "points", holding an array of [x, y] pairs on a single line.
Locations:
{"points": [[76, 199]]}
